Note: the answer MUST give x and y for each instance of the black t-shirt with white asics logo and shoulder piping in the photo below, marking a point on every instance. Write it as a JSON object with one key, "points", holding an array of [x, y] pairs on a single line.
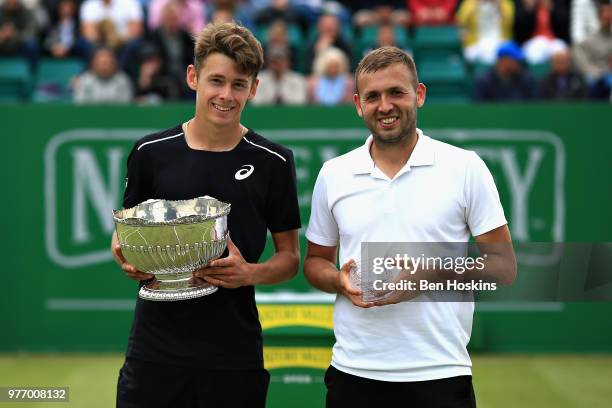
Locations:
{"points": [[257, 177]]}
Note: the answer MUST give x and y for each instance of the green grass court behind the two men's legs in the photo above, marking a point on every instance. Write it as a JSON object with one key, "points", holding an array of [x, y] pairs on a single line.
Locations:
{"points": [[500, 381]]}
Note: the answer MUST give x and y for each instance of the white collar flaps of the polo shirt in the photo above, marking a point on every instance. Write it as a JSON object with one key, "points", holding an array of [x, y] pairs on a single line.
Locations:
{"points": [[422, 155]]}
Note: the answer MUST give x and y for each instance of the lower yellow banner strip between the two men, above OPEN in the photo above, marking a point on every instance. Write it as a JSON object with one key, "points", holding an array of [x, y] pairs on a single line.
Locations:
{"points": [[308, 357]]}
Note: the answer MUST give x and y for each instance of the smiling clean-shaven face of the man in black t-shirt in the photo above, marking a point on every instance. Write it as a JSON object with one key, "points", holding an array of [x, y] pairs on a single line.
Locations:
{"points": [[222, 90]]}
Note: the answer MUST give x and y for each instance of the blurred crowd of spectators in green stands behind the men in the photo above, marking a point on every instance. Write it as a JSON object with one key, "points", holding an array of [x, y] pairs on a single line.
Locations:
{"points": [[483, 50]]}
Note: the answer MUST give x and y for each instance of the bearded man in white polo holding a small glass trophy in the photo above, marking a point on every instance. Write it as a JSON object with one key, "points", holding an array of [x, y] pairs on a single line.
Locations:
{"points": [[401, 186]]}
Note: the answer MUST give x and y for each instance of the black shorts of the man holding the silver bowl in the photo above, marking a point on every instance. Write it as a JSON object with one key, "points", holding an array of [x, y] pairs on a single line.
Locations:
{"points": [[150, 385]]}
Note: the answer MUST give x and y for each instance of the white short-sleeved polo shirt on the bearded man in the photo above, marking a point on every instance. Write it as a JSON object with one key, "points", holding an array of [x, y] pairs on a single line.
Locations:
{"points": [[442, 194]]}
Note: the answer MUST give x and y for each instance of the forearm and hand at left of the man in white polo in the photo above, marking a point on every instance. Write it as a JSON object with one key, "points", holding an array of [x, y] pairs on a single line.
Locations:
{"points": [[320, 270]]}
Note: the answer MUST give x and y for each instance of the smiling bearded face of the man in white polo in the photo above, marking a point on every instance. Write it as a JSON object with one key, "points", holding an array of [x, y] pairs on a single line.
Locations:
{"points": [[388, 102]]}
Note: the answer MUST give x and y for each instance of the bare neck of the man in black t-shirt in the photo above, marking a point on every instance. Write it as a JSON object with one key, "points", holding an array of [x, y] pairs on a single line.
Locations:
{"points": [[203, 135]]}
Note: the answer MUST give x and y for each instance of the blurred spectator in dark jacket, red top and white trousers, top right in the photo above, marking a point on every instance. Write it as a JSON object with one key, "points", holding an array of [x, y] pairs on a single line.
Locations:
{"points": [[541, 27]]}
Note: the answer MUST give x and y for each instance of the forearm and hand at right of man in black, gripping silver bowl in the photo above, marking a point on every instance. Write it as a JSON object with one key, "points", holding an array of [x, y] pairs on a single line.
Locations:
{"points": [[233, 271]]}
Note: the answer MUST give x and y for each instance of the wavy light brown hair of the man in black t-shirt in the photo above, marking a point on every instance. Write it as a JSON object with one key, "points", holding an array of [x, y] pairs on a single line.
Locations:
{"points": [[233, 41]]}
